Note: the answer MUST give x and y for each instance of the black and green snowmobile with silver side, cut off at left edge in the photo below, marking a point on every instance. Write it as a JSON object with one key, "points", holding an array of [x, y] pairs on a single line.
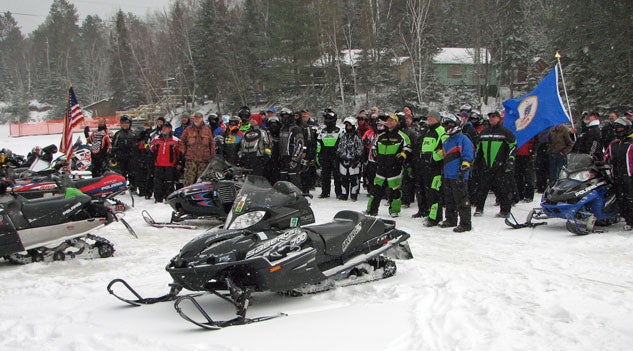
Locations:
{"points": [[53, 228]]}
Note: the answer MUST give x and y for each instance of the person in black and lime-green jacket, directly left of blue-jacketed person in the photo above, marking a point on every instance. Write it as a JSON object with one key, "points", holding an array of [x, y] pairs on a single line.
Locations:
{"points": [[431, 167]]}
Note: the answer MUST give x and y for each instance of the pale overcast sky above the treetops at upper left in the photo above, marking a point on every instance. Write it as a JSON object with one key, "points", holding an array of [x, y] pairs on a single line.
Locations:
{"points": [[31, 13]]}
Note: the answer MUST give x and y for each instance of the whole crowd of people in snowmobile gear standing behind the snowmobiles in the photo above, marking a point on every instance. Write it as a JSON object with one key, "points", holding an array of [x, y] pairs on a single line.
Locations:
{"points": [[443, 163]]}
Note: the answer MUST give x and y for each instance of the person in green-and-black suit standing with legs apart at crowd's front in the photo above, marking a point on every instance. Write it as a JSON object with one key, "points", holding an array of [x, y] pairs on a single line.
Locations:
{"points": [[391, 149]]}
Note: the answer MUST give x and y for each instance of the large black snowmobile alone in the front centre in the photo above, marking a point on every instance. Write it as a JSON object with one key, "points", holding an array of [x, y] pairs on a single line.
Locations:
{"points": [[250, 255]]}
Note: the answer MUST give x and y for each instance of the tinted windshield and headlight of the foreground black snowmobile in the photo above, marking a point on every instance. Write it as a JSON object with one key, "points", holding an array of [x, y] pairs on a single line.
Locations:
{"points": [[256, 197]]}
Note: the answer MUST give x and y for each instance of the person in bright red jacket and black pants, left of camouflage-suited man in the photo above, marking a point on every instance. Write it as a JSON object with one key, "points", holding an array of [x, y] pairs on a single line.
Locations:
{"points": [[165, 147]]}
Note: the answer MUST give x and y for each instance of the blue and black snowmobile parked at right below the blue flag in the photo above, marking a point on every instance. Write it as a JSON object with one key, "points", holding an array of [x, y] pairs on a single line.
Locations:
{"points": [[583, 195]]}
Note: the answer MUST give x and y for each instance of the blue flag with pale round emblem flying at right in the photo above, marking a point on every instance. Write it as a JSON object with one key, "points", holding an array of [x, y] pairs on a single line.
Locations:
{"points": [[536, 111]]}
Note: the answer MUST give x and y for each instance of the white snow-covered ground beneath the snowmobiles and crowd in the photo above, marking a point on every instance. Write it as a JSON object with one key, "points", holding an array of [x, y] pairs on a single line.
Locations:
{"points": [[490, 289]]}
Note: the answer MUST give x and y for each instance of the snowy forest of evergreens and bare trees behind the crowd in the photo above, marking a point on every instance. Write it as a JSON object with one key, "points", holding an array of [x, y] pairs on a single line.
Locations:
{"points": [[286, 53]]}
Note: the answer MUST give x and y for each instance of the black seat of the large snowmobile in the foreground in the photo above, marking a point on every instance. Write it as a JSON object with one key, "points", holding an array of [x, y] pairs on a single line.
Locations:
{"points": [[335, 233]]}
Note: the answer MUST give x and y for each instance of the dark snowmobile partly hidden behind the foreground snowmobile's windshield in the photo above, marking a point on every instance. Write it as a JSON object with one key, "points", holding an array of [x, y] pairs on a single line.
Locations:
{"points": [[212, 197]]}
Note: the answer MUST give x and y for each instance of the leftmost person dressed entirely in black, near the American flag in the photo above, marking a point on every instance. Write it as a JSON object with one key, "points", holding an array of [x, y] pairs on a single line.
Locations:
{"points": [[123, 147]]}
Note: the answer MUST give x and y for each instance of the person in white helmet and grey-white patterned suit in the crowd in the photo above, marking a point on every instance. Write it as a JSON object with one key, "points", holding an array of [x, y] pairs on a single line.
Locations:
{"points": [[349, 151]]}
